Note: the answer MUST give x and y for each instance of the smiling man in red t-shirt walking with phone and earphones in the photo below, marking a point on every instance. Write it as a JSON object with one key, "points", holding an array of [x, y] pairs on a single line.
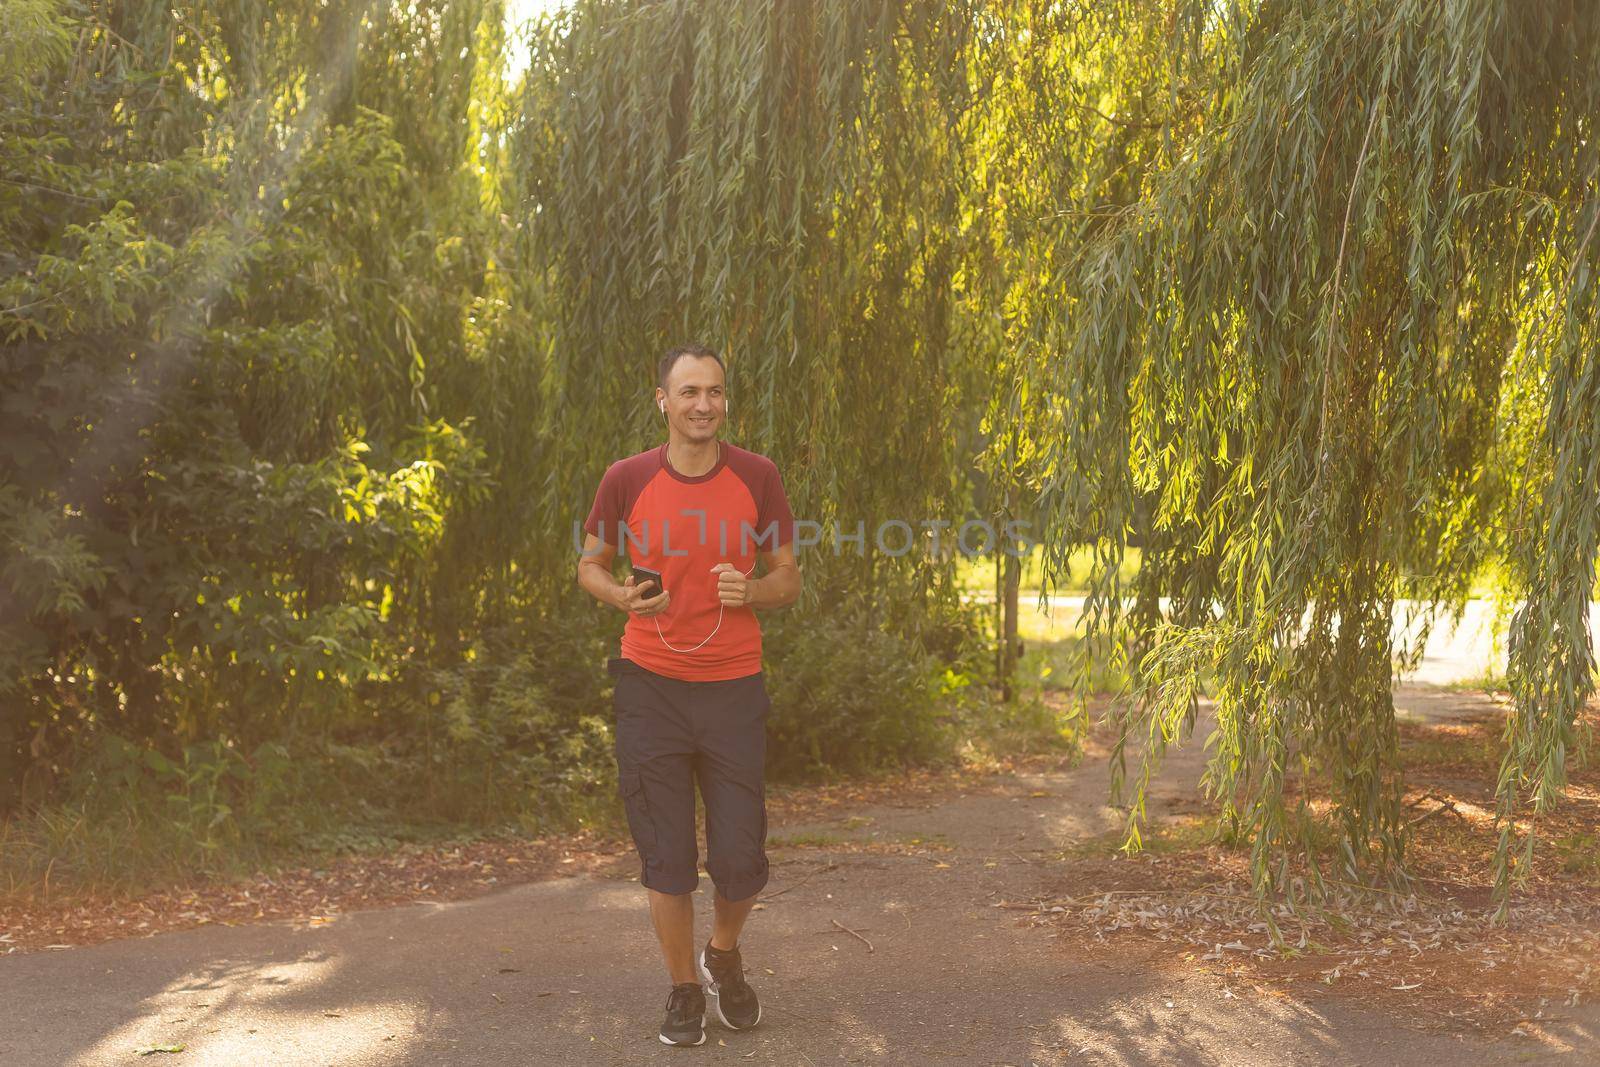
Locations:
{"points": [[690, 695]]}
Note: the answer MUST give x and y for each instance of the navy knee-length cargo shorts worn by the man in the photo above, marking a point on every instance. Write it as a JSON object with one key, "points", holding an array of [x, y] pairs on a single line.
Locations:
{"points": [[671, 735]]}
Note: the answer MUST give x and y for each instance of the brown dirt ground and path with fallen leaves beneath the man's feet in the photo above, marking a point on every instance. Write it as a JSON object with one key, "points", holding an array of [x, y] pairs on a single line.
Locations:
{"points": [[951, 919]]}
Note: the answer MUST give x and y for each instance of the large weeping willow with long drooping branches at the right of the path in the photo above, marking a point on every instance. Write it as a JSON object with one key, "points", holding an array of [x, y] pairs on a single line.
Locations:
{"points": [[1340, 348]]}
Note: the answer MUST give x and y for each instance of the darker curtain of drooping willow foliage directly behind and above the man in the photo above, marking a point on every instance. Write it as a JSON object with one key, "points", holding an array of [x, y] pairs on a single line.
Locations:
{"points": [[774, 178]]}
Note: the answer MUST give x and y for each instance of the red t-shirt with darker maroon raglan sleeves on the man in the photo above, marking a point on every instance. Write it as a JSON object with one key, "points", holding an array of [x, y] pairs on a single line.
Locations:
{"points": [[684, 527]]}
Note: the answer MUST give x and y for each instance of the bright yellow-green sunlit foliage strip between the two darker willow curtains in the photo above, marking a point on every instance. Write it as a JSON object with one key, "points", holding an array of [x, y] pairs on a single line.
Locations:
{"points": [[1050, 170]]}
